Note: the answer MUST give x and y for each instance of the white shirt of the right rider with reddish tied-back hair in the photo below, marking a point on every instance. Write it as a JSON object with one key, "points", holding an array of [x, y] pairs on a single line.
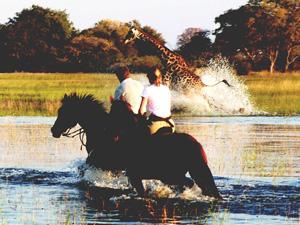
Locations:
{"points": [[159, 100]]}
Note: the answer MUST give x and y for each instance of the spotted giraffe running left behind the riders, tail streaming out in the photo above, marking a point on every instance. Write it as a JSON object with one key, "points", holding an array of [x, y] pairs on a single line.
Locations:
{"points": [[178, 74]]}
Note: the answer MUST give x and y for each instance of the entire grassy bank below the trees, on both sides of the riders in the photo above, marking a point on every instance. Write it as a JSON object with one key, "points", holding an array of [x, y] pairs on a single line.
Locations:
{"points": [[40, 94]]}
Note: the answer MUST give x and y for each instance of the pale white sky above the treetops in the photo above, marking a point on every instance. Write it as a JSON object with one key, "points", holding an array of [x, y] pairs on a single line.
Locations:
{"points": [[168, 17]]}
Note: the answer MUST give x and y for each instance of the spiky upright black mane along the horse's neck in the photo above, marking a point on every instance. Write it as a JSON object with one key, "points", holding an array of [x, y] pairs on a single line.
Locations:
{"points": [[75, 101]]}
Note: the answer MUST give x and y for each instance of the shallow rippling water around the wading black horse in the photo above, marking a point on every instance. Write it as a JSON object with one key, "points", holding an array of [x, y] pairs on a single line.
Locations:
{"points": [[255, 162]]}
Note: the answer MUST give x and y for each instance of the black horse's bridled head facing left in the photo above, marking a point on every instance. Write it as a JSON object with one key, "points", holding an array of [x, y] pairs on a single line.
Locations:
{"points": [[67, 116]]}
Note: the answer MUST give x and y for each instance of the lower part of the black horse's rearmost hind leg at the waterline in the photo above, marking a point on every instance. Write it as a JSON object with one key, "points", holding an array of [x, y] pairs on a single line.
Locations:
{"points": [[204, 179]]}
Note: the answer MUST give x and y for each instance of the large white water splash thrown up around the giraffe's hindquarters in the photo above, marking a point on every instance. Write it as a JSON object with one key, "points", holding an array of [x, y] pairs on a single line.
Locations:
{"points": [[219, 99]]}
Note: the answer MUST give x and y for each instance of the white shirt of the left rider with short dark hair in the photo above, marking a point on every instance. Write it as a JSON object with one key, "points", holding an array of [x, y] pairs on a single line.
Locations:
{"points": [[131, 90]]}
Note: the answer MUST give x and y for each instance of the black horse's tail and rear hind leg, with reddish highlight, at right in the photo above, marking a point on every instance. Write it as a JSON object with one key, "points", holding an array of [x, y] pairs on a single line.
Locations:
{"points": [[202, 175]]}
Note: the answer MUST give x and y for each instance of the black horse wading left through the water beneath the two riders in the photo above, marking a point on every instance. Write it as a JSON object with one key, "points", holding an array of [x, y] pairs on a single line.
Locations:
{"points": [[119, 141]]}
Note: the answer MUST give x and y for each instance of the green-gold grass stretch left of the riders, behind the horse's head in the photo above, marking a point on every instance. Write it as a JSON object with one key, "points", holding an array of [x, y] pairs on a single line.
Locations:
{"points": [[40, 94]]}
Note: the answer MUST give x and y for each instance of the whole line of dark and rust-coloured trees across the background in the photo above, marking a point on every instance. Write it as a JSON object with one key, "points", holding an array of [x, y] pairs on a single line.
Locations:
{"points": [[257, 36]]}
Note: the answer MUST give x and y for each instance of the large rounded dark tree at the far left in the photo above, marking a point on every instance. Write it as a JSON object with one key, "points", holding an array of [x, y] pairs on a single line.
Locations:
{"points": [[36, 38]]}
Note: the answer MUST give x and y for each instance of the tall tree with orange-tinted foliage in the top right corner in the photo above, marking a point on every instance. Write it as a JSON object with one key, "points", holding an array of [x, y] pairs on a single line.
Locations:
{"points": [[260, 29]]}
